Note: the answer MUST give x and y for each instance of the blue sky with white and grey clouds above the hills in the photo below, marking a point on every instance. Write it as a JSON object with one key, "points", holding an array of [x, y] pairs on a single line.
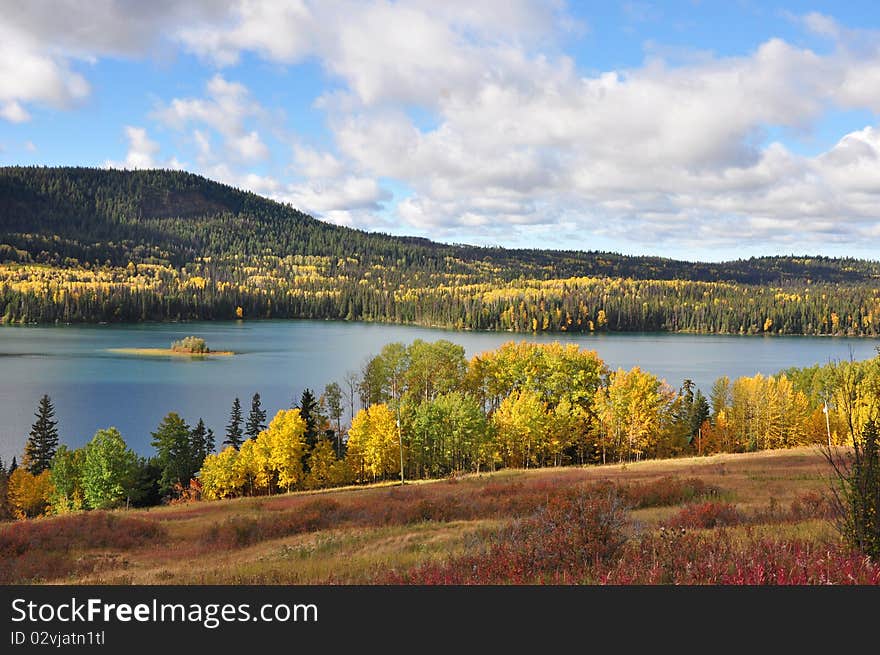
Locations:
{"points": [[693, 129]]}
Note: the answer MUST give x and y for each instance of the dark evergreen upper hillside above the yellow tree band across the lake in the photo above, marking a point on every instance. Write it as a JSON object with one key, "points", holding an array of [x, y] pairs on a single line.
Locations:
{"points": [[100, 215]]}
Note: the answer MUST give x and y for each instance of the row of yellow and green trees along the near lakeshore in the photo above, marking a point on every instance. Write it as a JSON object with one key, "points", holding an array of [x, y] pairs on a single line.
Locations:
{"points": [[424, 411]]}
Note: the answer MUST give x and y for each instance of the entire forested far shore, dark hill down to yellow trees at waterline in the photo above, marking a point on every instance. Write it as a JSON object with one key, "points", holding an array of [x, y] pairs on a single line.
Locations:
{"points": [[83, 244]]}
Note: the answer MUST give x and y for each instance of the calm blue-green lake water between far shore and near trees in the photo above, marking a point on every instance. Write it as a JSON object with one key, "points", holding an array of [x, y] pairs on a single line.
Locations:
{"points": [[94, 388]]}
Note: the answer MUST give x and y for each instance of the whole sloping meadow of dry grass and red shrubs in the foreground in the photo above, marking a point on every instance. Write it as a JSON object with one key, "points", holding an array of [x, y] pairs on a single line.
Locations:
{"points": [[498, 527]]}
